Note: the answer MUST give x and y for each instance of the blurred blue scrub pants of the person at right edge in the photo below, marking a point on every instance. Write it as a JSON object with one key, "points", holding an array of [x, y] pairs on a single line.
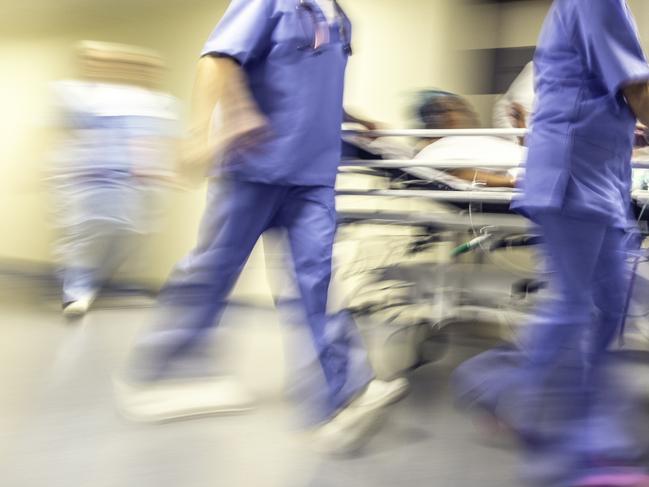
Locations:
{"points": [[556, 391]]}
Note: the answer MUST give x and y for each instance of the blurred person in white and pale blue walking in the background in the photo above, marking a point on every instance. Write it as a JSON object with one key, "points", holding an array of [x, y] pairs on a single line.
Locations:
{"points": [[112, 166]]}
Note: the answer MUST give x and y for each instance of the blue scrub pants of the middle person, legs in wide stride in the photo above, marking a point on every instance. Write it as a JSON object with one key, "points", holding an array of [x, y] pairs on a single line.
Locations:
{"points": [[237, 214]]}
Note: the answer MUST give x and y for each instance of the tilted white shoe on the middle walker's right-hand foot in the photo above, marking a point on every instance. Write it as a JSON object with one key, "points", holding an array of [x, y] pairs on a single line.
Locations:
{"points": [[352, 426]]}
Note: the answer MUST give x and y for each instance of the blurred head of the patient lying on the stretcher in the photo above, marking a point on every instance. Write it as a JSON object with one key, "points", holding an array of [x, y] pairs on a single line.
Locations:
{"points": [[442, 110]]}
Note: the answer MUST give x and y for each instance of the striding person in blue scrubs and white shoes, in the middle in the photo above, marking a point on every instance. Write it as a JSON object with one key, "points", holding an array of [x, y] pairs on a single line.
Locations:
{"points": [[266, 118]]}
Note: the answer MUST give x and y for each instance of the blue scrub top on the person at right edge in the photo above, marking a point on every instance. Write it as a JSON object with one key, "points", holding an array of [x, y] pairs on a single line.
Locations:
{"points": [[582, 130]]}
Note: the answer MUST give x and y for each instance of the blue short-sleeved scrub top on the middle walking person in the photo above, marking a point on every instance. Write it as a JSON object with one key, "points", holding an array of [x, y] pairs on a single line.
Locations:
{"points": [[299, 90]]}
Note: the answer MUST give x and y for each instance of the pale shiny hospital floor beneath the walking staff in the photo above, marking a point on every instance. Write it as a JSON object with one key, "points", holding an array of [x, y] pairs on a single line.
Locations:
{"points": [[59, 426]]}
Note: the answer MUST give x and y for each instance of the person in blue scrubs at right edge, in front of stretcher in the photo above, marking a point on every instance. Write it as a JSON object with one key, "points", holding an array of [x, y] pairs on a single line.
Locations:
{"points": [[574, 421]]}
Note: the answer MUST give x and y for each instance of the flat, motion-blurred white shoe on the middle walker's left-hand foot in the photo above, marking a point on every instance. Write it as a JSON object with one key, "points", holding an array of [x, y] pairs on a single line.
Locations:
{"points": [[175, 400]]}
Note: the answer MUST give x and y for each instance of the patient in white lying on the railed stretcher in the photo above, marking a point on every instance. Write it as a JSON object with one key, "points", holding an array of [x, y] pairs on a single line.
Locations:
{"points": [[439, 110]]}
